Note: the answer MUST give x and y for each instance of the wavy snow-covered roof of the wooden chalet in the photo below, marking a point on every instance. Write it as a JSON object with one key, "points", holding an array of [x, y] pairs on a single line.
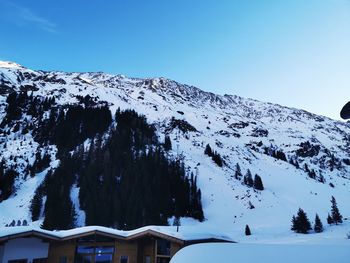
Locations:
{"points": [[166, 232]]}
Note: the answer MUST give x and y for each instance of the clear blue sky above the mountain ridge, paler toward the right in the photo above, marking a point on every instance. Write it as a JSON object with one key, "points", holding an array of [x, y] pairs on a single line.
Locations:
{"points": [[292, 52]]}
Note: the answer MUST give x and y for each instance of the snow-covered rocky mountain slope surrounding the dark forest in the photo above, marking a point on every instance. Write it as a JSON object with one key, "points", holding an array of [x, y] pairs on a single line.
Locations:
{"points": [[302, 158]]}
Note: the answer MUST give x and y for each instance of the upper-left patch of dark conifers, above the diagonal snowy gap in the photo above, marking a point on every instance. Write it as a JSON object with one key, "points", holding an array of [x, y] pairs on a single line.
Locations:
{"points": [[65, 126]]}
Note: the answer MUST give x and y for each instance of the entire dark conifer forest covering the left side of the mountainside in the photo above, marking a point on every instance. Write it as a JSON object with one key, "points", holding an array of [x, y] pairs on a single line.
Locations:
{"points": [[125, 176]]}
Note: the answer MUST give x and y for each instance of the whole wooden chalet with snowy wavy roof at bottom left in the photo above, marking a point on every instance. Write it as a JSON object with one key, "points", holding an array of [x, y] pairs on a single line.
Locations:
{"points": [[94, 244]]}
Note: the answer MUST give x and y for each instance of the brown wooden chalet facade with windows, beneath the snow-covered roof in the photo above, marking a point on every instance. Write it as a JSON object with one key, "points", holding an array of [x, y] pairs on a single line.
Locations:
{"points": [[96, 246]]}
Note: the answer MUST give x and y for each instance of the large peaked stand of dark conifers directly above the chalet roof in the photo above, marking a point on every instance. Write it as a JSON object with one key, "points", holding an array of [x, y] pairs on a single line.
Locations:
{"points": [[125, 181]]}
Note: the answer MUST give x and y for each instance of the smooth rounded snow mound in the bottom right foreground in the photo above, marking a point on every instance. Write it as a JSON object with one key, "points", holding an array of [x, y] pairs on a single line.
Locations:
{"points": [[271, 253]]}
